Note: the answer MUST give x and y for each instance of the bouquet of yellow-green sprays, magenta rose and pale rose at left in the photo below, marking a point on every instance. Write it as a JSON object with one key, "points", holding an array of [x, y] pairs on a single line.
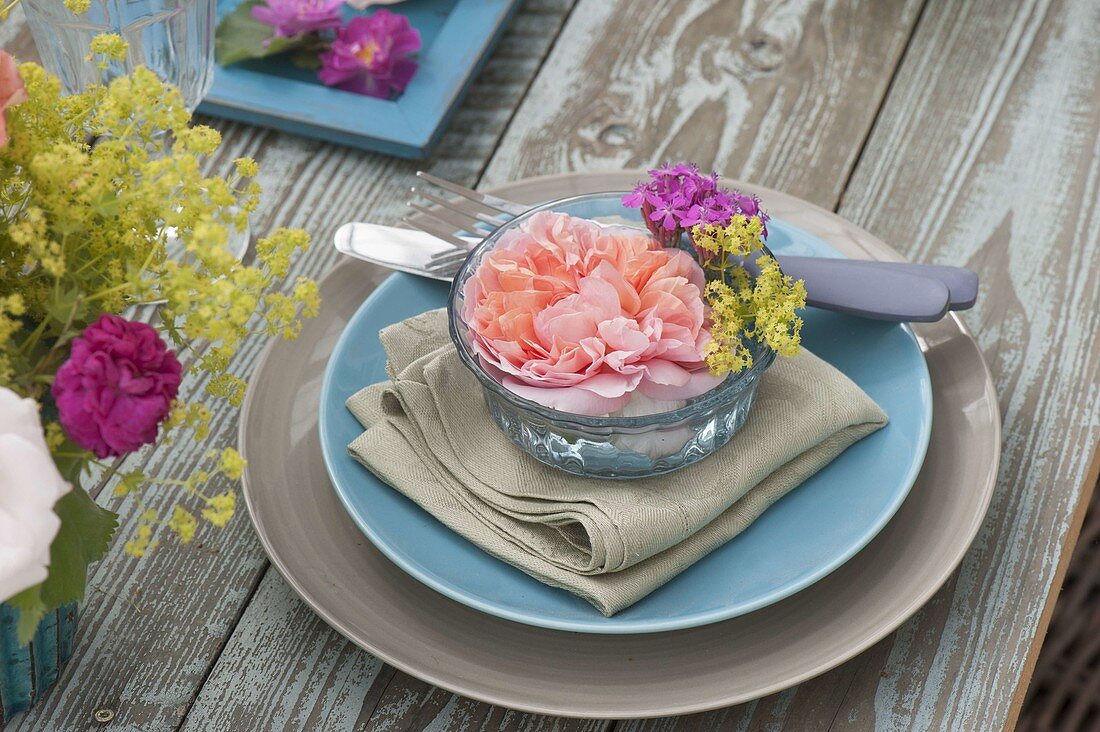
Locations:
{"points": [[93, 188]]}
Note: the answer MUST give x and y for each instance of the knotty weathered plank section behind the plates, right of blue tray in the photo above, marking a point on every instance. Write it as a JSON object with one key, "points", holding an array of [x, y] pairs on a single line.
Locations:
{"points": [[782, 94]]}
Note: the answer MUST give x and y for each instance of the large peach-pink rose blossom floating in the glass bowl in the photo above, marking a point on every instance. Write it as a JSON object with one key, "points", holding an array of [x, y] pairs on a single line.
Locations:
{"points": [[577, 316]]}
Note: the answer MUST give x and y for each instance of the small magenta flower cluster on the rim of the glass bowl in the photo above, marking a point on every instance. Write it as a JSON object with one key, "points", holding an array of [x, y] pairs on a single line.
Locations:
{"points": [[677, 198]]}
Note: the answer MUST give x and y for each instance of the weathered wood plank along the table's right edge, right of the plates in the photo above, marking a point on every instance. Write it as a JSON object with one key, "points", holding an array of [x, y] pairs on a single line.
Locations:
{"points": [[987, 155]]}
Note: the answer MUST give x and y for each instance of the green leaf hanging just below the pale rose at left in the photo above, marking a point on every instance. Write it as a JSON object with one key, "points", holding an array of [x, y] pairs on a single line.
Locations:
{"points": [[84, 538]]}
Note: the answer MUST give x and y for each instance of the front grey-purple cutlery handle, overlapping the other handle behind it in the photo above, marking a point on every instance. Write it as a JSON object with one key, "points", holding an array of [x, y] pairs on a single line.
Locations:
{"points": [[883, 293]]}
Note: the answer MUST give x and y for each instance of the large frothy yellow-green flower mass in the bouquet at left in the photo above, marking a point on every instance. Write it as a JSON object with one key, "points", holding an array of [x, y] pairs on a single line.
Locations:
{"points": [[85, 230]]}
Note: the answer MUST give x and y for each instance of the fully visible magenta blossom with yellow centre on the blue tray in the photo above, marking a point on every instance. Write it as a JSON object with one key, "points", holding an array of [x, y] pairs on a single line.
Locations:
{"points": [[370, 56]]}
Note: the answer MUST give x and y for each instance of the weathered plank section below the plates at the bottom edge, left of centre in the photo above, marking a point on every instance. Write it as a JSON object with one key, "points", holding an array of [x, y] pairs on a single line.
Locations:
{"points": [[284, 669]]}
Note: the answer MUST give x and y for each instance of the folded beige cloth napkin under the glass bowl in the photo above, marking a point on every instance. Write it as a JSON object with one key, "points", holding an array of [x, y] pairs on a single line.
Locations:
{"points": [[431, 436]]}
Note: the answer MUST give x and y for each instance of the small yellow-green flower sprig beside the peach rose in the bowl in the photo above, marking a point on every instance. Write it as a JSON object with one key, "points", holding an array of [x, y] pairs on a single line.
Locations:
{"points": [[763, 308]]}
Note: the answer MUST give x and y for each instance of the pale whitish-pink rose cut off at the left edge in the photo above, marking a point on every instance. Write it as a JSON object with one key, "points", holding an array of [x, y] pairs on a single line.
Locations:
{"points": [[30, 485]]}
